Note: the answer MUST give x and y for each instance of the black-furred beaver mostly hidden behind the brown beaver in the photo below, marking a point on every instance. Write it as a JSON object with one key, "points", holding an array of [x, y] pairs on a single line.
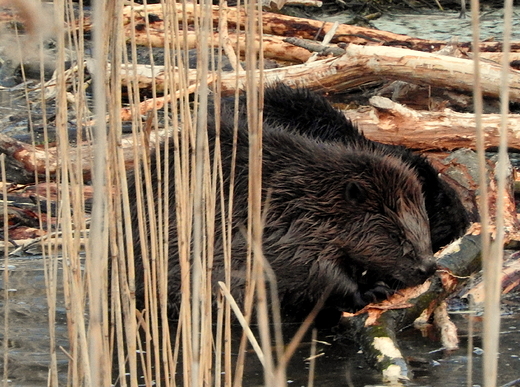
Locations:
{"points": [[303, 111]]}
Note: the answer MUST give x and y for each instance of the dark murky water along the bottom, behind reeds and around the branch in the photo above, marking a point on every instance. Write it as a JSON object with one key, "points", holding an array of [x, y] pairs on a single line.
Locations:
{"points": [[340, 363]]}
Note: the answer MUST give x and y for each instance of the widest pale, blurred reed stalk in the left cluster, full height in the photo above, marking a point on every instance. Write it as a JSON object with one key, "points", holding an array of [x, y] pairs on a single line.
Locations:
{"points": [[96, 262]]}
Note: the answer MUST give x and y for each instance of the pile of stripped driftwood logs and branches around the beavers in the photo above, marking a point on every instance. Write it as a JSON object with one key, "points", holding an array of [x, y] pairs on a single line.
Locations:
{"points": [[429, 76]]}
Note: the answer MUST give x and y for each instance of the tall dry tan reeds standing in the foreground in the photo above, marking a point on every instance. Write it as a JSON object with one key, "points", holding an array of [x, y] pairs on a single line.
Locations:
{"points": [[110, 342]]}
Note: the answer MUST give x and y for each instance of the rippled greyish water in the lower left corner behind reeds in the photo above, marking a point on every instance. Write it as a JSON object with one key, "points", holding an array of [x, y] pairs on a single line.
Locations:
{"points": [[28, 324]]}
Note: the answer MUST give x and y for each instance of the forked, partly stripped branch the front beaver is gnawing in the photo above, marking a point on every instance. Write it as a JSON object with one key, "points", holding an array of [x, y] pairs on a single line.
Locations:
{"points": [[374, 328]]}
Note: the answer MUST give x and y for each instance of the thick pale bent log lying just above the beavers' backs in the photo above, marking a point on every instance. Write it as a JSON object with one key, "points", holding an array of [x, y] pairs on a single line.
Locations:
{"points": [[363, 64]]}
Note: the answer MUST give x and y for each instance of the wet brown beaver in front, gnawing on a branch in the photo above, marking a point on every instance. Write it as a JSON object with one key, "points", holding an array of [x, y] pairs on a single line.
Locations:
{"points": [[348, 219]]}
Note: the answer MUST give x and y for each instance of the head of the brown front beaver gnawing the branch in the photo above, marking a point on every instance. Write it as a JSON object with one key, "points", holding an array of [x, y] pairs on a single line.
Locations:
{"points": [[388, 233]]}
